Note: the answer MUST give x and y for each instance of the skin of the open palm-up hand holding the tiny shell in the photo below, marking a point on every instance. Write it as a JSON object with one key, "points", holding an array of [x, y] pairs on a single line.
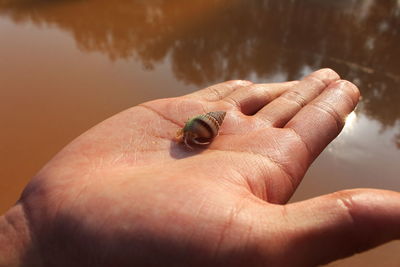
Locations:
{"points": [[126, 194]]}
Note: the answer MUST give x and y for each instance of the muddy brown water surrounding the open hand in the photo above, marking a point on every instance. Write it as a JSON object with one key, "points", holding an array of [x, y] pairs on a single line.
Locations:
{"points": [[67, 65]]}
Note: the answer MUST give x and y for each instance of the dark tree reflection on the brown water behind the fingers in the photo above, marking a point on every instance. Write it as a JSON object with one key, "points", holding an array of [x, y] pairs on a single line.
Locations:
{"points": [[210, 41]]}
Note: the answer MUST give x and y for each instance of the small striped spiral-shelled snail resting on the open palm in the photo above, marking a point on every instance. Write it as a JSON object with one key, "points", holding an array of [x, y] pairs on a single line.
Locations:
{"points": [[201, 129]]}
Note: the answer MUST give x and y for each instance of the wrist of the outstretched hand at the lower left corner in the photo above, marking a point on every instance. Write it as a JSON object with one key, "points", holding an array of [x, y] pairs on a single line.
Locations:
{"points": [[16, 246]]}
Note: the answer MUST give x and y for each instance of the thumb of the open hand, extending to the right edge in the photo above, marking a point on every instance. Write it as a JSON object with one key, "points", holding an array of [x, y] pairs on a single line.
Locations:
{"points": [[334, 226]]}
